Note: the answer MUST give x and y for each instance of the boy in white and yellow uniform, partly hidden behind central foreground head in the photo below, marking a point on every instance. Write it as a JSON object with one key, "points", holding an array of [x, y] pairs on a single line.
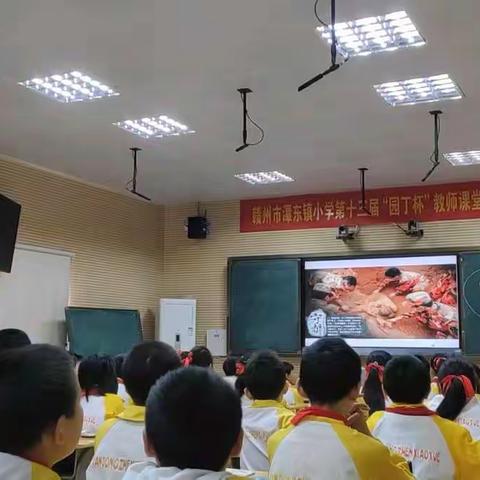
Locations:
{"points": [[119, 441]]}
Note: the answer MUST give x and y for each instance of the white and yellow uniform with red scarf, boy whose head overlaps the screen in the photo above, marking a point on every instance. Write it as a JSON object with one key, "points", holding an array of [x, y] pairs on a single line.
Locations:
{"points": [[318, 444]]}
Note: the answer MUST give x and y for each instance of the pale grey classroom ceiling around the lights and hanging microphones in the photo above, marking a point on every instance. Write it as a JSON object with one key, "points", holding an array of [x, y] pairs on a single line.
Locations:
{"points": [[186, 59]]}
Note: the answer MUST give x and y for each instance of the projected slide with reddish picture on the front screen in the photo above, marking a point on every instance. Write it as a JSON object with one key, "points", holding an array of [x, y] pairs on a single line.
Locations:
{"points": [[384, 302]]}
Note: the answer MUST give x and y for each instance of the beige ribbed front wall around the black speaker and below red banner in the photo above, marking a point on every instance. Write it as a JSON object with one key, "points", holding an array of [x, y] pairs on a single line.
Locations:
{"points": [[197, 268]]}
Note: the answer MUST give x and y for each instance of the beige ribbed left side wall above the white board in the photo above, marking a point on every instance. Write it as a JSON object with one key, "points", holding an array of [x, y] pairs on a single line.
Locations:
{"points": [[117, 241]]}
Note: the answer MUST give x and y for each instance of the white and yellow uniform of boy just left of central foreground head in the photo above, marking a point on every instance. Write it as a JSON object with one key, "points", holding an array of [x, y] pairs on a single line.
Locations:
{"points": [[119, 444]]}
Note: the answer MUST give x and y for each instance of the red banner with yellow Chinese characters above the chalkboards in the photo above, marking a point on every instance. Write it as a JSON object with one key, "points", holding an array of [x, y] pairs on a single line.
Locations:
{"points": [[454, 201]]}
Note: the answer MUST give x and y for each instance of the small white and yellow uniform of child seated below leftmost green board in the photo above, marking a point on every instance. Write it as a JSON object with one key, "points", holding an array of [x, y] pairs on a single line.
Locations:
{"points": [[97, 409]]}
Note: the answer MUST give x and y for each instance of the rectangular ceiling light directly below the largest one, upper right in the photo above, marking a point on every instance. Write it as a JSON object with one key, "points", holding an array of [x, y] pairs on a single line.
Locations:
{"points": [[419, 90]]}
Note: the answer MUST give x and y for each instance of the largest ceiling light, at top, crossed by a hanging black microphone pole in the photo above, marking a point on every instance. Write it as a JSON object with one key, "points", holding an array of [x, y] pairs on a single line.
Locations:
{"points": [[374, 34]]}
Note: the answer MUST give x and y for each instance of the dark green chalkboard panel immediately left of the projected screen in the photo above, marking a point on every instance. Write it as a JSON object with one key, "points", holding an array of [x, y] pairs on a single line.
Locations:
{"points": [[264, 305]]}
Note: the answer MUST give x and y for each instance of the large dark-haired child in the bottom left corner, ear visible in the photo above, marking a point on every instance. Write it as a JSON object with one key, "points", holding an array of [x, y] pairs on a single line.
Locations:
{"points": [[40, 412]]}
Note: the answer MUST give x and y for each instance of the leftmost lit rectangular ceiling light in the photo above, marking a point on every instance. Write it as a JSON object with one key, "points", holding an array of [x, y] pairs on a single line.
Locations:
{"points": [[69, 87]]}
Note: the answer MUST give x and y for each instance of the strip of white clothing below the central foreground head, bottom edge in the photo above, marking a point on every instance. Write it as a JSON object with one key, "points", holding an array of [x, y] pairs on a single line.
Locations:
{"points": [[150, 471]]}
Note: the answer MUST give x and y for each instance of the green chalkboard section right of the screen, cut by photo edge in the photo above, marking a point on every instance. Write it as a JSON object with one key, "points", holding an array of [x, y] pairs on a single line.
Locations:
{"points": [[469, 288]]}
